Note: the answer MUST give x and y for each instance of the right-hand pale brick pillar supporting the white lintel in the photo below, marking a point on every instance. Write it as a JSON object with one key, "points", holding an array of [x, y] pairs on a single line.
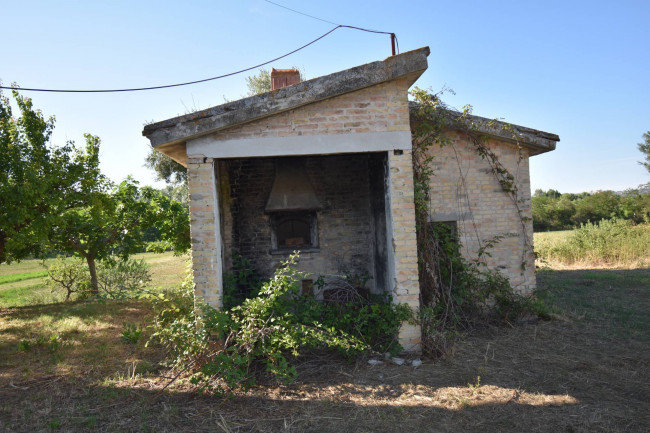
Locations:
{"points": [[402, 241]]}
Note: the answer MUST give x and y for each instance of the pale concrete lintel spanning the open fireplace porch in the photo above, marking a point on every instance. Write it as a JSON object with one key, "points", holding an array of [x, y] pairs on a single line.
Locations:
{"points": [[321, 144]]}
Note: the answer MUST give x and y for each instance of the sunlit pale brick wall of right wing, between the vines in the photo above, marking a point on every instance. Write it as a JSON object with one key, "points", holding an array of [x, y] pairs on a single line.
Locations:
{"points": [[464, 190]]}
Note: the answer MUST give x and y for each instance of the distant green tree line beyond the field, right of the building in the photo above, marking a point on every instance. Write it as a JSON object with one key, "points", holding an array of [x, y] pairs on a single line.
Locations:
{"points": [[553, 210]]}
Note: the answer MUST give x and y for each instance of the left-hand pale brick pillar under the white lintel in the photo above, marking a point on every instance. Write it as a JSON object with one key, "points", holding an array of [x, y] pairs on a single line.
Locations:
{"points": [[206, 234]]}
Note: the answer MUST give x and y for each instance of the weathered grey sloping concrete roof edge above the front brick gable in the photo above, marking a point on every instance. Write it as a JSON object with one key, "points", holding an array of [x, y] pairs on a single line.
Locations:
{"points": [[193, 125]]}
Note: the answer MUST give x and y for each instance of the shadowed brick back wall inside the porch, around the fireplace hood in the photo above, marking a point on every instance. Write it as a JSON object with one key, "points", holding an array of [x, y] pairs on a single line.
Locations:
{"points": [[345, 224]]}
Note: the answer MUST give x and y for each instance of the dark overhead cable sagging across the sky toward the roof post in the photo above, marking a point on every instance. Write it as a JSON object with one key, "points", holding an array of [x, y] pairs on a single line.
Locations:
{"points": [[166, 86]]}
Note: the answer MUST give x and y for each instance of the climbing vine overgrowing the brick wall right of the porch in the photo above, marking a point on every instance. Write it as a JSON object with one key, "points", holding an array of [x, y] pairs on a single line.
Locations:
{"points": [[455, 293]]}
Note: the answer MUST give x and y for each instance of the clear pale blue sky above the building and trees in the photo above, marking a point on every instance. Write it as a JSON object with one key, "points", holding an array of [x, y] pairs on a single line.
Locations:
{"points": [[579, 69]]}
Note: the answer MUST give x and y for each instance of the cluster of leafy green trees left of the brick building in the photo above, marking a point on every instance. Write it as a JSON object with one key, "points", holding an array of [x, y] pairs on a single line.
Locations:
{"points": [[55, 198]]}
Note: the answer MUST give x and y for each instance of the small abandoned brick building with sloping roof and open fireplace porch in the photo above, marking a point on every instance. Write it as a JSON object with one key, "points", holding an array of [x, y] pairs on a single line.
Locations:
{"points": [[324, 166]]}
